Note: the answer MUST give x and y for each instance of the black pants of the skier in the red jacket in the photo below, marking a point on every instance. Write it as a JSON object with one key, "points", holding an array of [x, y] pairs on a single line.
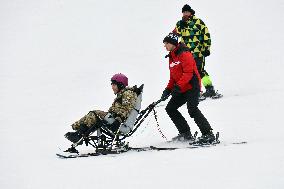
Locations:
{"points": [[190, 97]]}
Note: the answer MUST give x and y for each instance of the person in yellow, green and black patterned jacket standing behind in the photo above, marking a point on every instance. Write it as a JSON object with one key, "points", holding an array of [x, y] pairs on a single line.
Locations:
{"points": [[194, 33]]}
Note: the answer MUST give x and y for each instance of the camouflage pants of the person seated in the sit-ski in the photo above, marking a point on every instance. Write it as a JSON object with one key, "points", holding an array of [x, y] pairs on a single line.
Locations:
{"points": [[90, 119]]}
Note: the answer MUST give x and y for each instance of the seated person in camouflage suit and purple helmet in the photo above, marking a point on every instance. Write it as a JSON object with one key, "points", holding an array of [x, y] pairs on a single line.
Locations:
{"points": [[119, 110]]}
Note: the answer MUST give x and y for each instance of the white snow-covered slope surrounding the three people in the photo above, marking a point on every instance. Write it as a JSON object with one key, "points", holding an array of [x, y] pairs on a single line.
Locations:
{"points": [[56, 60]]}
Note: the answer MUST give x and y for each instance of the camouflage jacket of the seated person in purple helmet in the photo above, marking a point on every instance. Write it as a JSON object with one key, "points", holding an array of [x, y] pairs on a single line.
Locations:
{"points": [[123, 104]]}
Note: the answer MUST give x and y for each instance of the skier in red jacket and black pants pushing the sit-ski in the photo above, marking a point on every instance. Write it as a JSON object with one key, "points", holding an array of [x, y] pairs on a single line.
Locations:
{"points": [[184, 86]]}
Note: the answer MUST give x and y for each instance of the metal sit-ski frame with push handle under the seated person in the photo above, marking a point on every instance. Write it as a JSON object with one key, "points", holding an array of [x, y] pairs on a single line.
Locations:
{"points": [[107, 140]]}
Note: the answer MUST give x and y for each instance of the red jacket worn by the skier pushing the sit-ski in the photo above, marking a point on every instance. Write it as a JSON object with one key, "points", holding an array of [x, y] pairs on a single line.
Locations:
{"points": [[183, 69]]}
